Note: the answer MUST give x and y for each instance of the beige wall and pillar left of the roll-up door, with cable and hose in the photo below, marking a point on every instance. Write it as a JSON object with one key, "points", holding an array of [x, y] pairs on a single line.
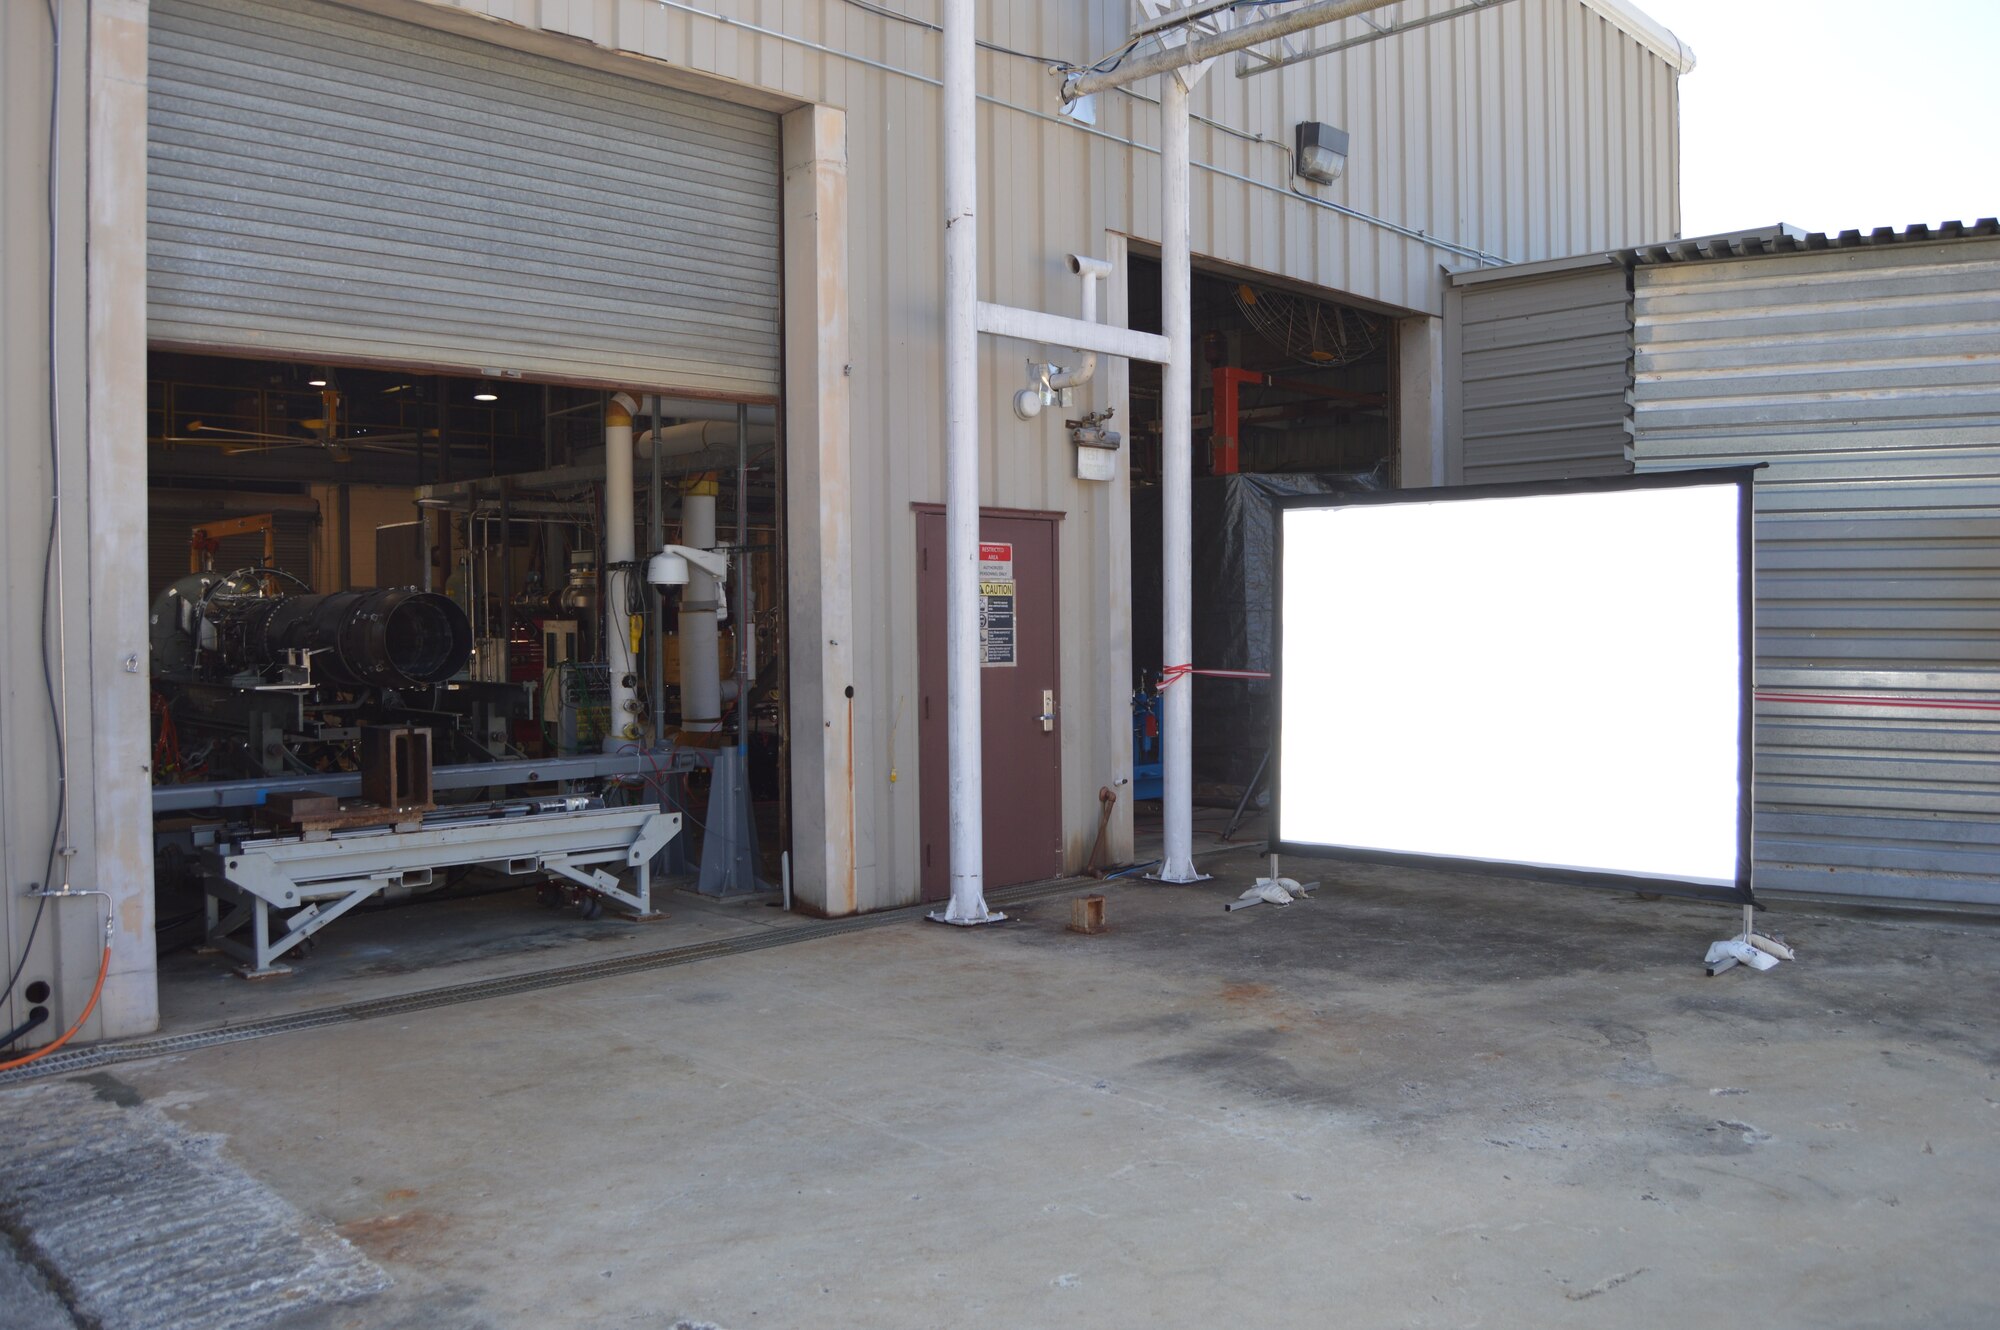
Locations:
{"points": [[99, 397]]}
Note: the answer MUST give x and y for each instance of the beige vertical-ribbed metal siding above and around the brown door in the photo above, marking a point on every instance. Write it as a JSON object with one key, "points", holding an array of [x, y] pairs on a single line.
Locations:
{"points": [[1531, 131]]}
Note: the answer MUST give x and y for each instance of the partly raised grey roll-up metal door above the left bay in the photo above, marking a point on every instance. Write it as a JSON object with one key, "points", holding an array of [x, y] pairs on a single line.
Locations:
{"points": [[329, 183]]}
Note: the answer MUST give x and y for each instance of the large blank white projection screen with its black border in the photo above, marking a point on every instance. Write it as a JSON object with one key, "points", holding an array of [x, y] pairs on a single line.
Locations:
{"points": [[1545, 681]]}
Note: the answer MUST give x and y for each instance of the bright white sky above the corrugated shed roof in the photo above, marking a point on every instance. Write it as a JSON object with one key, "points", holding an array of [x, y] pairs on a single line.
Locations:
{"points": [[1837, 115]]}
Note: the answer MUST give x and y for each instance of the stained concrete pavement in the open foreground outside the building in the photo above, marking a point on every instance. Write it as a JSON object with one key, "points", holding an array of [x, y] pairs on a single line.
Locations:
{"points": [[1417, 1101]]}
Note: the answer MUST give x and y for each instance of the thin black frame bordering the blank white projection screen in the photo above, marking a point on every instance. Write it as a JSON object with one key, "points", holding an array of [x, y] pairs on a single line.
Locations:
{"points": [[1741, 477]]}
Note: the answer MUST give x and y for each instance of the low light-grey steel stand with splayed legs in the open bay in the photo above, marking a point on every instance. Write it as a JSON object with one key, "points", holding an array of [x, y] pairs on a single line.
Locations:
{"points": [[325, 879]]}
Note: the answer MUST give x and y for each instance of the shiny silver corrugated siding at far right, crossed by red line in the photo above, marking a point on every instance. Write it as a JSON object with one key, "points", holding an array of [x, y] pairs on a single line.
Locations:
{"points": [[1869, 379]]}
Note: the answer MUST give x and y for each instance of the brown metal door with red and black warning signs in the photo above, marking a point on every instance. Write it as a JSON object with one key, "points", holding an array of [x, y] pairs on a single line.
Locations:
{"points": [[1023, 755]]}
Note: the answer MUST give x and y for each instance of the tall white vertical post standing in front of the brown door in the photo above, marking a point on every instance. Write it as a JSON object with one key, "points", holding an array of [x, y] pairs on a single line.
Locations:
{"points": [[963, 465]]}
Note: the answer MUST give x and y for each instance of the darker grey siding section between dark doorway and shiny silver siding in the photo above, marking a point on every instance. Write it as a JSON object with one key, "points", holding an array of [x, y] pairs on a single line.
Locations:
{"points": [[1539, 377]]}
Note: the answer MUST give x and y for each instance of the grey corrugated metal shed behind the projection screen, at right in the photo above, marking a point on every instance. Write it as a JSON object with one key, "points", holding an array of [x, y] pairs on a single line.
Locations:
{"points": [[1863, 375]]}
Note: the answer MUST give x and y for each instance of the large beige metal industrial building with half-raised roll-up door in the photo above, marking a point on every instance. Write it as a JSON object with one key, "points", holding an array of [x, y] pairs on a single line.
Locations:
{"points": [[707, 207]]}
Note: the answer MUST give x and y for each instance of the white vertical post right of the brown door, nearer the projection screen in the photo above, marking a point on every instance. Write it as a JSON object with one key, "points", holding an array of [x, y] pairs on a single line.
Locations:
{"points": [[1177, 487]]}
